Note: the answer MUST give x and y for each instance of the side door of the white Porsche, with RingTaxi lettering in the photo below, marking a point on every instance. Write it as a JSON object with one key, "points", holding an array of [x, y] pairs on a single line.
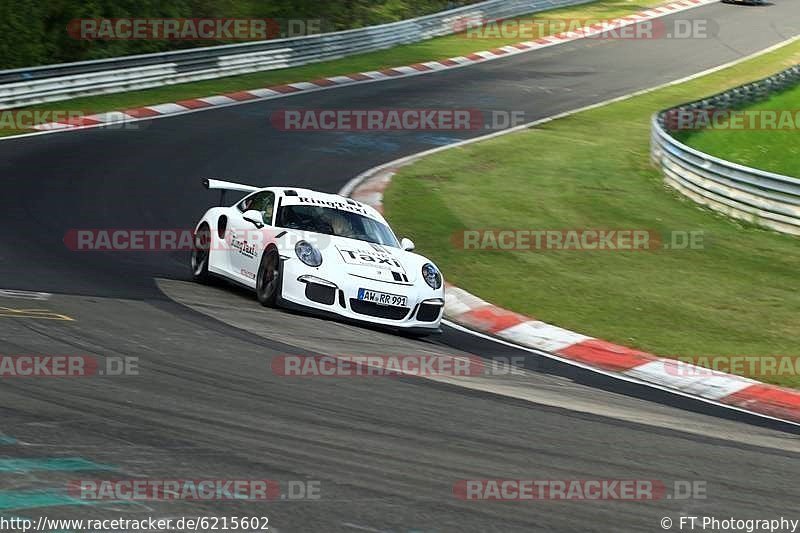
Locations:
{"points": [[249, 232]]}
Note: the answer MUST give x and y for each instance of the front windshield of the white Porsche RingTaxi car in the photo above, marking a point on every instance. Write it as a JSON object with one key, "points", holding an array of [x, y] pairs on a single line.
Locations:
{"points": [[330, 221]]}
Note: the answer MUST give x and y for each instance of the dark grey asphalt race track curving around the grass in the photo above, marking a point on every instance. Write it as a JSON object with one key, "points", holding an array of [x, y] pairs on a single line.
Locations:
{"points": [[384, 452]]}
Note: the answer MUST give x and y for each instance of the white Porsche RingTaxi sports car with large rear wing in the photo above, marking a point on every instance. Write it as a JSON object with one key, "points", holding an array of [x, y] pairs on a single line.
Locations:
{"points": [[321, 252]]}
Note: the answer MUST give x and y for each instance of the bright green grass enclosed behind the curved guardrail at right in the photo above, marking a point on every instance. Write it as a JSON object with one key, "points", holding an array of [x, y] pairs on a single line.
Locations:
{"points": [[776, 150]]}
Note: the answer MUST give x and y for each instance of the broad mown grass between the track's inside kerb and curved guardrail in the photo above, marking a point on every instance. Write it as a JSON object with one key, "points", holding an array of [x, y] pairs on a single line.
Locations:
{"points": [[736, 296]]}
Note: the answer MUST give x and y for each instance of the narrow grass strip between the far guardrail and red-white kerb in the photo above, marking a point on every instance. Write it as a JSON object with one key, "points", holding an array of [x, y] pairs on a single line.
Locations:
{"points": [[430, 50]]}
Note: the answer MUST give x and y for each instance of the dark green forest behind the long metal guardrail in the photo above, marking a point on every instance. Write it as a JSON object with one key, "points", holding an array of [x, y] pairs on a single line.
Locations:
{"points": [[34, 32]]}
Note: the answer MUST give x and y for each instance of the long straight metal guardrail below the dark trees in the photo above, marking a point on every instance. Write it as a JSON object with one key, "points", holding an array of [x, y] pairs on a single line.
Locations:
{"points": [[27, 86]]}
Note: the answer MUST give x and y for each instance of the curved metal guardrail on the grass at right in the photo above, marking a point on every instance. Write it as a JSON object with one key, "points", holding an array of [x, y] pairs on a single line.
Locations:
{"points": [[763, 198]]}
